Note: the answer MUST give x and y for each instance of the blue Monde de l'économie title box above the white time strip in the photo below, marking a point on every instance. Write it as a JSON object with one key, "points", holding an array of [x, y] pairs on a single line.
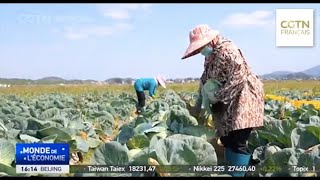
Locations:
{"points": [[42, 154]]}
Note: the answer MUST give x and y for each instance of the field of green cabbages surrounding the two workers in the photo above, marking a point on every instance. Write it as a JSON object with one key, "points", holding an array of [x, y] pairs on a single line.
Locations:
{"points": [[101, 127]]}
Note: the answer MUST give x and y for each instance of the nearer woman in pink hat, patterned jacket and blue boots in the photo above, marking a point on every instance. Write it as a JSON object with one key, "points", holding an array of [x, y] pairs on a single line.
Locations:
{"points": [[240, 99]]}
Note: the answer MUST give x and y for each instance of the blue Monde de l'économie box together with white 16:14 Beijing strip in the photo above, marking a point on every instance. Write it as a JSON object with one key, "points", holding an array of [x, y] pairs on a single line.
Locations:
{"points": [[42, 158]]}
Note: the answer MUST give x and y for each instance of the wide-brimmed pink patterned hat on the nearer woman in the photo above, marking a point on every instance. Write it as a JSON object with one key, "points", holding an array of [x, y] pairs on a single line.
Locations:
{"points": [[199, 36]]}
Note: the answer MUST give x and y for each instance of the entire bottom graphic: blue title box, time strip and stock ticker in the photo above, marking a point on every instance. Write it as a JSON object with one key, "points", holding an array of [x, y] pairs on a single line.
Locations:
{"points": [[54, 158]]}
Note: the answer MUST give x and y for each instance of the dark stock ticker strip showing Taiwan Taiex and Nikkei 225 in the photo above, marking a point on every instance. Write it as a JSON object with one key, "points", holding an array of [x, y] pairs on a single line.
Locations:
{"points": [[189, 169]]}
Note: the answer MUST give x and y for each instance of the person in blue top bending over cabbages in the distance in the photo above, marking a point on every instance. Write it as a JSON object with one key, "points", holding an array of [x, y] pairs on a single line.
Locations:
{"points": [[150, 84]]}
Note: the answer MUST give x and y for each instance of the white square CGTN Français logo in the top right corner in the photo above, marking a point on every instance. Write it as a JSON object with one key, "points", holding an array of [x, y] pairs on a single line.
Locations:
{"points": [[294, 27]]}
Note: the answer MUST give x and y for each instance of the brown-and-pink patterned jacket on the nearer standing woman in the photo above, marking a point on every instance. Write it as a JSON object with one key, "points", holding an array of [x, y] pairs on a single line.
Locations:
{"points": [[241, 96]]}
